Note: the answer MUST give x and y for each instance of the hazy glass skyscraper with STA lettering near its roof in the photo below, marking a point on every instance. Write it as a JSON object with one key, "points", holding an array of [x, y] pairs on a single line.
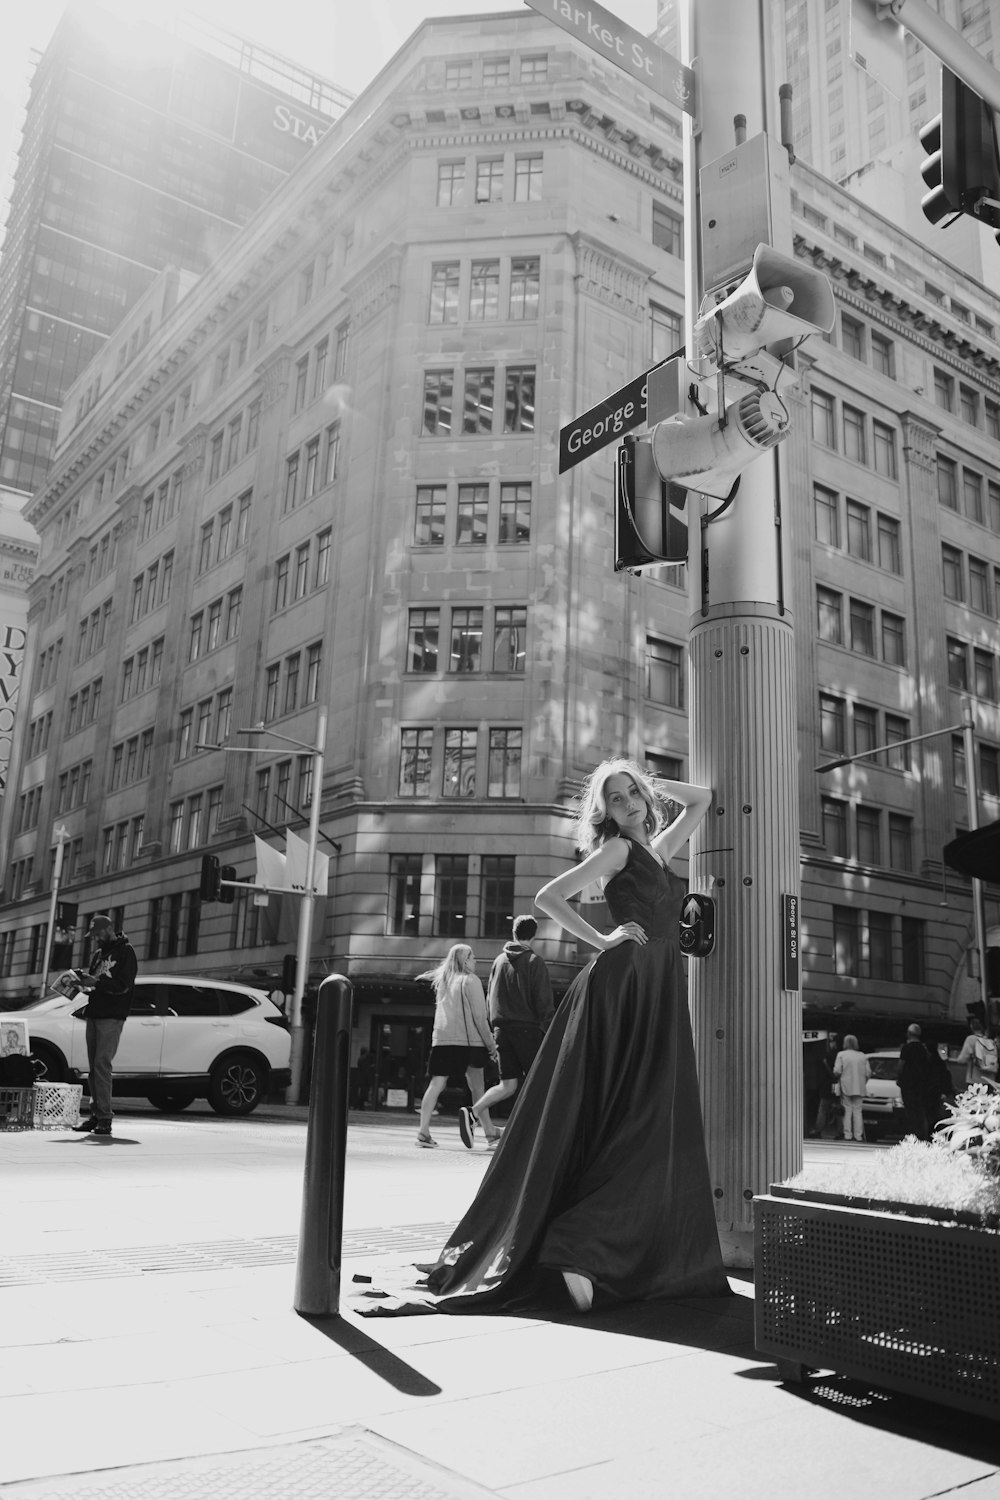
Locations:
{"points": [[142, 149]]}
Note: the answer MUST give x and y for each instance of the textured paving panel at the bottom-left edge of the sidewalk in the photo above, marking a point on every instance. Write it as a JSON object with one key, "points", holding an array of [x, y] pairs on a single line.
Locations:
{"points": [[346, 1468]]}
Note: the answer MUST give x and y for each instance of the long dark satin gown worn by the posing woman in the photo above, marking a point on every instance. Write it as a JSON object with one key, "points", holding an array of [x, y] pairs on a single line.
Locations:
{"points": [[602, 1168]]}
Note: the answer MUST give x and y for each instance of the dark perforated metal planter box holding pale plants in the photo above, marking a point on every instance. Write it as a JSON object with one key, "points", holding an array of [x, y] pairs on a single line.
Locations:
{"points": [[899, 1301]]}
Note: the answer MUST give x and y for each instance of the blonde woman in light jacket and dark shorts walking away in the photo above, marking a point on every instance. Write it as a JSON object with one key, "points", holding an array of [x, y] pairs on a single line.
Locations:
{"points": [[463, 1039]]}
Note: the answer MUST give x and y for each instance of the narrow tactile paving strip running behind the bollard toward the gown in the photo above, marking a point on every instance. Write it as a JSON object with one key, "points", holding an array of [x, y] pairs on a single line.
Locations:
{"points": [[223, 1255]]}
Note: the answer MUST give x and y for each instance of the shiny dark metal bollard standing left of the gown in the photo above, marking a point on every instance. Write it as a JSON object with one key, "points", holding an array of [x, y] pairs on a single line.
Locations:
{"points": [[322, 1225]]}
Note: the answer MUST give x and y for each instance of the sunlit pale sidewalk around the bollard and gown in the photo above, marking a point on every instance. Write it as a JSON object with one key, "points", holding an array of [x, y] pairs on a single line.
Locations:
{"points": [[142, 1367]]}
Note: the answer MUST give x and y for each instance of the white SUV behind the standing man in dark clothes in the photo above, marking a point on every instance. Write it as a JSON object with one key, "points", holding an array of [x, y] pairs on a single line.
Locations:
{"points": [[185, 1039]]}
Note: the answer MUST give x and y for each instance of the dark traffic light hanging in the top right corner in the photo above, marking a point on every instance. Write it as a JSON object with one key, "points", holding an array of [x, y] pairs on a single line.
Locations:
{"points": [[963, 166]]}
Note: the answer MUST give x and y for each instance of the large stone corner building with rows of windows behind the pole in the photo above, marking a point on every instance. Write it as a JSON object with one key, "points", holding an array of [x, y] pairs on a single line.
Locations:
{"points": [[329, 478]]}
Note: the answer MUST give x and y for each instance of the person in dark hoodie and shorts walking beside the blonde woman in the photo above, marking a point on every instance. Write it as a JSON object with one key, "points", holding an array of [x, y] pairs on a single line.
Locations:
{"points": [[519, 1003]]}
